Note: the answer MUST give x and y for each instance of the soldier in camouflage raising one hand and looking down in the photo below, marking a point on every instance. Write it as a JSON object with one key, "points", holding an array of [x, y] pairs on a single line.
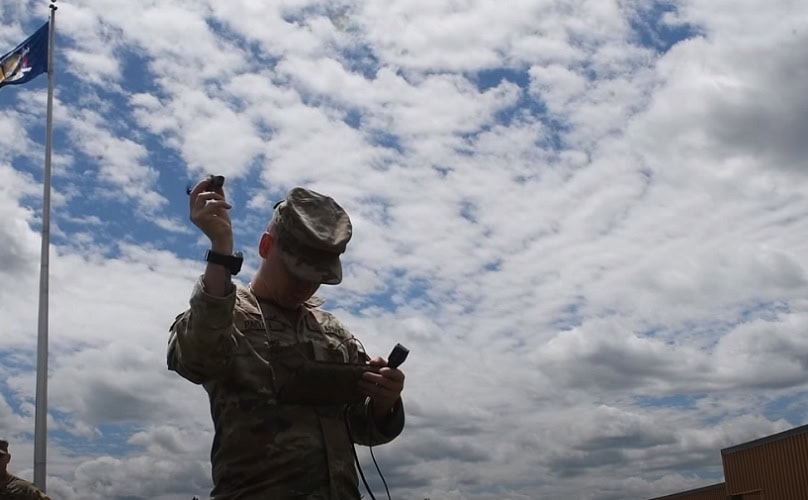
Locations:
{"points": [[240, 343]]}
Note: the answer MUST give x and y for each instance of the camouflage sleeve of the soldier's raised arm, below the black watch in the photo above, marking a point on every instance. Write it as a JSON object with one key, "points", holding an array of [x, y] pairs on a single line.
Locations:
{"points": [[201, 341]]}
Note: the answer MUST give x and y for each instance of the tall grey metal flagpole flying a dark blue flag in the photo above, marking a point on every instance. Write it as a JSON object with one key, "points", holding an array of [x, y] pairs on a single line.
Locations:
{"points": [[41, 416]]}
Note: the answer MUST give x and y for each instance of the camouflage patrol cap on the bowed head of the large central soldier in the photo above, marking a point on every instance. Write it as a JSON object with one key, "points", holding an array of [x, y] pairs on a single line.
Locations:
{"points": [[312, 231]]}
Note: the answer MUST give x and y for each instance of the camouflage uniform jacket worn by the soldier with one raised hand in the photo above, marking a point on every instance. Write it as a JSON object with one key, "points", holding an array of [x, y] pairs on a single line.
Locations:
{"points": [[238, 349]]}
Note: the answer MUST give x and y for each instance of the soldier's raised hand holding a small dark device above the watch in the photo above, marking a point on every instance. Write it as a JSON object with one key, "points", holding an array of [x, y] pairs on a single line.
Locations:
{"points": [[209, 212]]}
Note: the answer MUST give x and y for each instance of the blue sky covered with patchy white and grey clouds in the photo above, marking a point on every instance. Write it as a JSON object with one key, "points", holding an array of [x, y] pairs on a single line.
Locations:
{"points": [[586, 219]]}
